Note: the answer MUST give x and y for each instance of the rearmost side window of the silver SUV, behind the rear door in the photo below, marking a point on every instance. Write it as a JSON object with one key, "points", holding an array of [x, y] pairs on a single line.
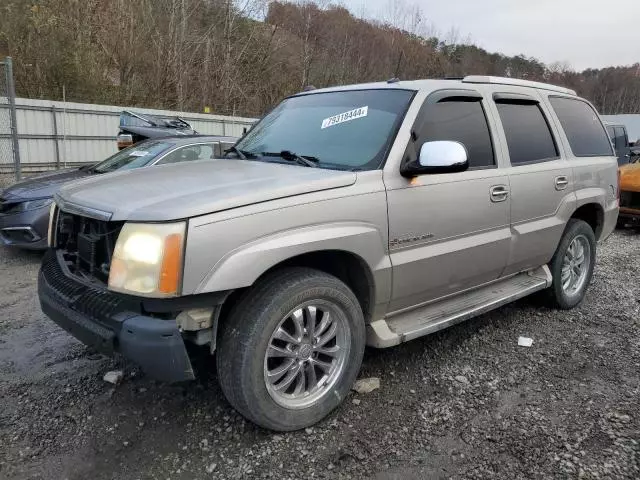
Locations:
{"points": [[582, 126]]}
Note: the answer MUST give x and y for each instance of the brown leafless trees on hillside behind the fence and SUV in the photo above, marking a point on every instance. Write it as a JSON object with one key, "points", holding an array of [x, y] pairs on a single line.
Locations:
{"points": [[240, 57]]}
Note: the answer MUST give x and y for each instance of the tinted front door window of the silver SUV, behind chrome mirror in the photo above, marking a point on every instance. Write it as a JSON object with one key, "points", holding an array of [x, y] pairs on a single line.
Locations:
{"points": [[463, 120]]}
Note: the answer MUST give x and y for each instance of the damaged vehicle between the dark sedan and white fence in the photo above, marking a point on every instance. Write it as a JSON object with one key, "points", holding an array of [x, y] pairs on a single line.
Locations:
{"points": [[135, 127]]}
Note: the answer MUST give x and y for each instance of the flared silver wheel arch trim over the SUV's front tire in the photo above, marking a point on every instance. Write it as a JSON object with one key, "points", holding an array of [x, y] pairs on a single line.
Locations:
{"points": [[242, 266]]}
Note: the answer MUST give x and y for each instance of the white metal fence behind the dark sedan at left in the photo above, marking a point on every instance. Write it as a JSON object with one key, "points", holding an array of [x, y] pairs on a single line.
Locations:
{"points": [[58, 134]]}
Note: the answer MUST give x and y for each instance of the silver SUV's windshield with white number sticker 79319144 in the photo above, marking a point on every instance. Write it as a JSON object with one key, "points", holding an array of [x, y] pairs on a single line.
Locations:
{"points": [[348, 129]]}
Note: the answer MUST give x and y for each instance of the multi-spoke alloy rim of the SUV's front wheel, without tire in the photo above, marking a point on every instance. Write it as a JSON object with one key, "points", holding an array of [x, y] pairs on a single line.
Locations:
{"points": [[306, 354]]}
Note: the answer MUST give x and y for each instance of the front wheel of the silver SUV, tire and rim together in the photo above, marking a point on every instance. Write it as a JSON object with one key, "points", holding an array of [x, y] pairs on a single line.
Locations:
{"points": [[291, 349]]}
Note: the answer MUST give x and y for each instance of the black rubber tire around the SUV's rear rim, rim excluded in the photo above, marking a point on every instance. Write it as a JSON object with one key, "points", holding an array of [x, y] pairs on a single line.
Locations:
{"points": [[559, 296]]}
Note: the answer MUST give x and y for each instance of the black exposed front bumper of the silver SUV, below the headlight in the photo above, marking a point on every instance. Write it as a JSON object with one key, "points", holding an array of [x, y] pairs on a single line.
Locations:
{"points": [[156, 345]]}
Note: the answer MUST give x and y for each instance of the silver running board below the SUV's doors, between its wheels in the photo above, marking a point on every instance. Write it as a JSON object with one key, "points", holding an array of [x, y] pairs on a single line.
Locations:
{"points": [[402, 327]]}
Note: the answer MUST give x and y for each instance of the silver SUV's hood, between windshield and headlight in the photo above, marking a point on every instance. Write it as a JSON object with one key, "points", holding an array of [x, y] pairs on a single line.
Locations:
{"points": [[177, 191]]}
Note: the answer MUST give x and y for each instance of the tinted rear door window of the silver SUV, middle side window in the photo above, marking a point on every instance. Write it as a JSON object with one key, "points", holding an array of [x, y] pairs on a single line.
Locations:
{"points": [[528, 135]]}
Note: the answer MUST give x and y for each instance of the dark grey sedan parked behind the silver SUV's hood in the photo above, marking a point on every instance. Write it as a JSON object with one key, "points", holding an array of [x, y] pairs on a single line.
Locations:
{"points": [[24, 207]]}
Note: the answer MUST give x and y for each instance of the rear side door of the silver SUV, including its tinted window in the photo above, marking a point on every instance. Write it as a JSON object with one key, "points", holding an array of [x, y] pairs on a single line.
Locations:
{"points": [[540, 180]]}
